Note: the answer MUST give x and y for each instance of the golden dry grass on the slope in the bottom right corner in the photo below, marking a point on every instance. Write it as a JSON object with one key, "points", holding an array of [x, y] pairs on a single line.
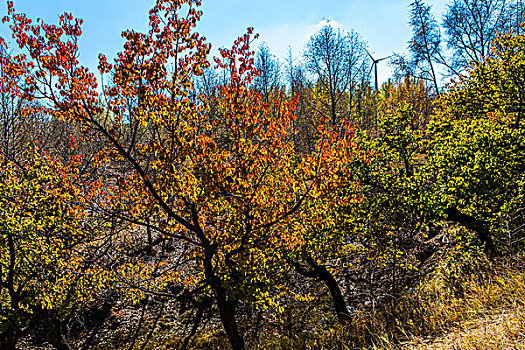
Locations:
{"points": [[478, 306]]}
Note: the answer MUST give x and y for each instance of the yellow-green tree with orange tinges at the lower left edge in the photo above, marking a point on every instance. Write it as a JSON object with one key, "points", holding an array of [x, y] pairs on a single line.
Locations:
{"points": [[45, 269]]}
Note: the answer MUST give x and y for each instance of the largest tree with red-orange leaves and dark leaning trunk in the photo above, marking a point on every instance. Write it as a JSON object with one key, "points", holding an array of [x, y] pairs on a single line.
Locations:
{"points": [[228, 191]]}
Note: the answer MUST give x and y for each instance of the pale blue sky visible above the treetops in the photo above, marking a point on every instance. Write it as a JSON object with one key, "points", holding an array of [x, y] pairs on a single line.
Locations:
{"points": [[280, 23]]}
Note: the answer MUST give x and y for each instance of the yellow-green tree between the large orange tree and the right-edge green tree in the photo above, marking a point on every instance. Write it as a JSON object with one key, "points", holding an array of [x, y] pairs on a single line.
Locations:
{"points": [[387, 222]]}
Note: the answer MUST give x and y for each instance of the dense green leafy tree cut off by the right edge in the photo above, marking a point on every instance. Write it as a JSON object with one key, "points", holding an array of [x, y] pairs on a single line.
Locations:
{"points": [[478, 153]]}
